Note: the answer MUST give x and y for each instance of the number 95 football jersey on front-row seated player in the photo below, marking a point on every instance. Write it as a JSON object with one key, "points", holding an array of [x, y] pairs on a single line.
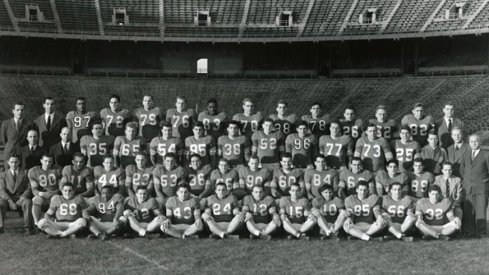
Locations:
{"points": [[362, 210]]}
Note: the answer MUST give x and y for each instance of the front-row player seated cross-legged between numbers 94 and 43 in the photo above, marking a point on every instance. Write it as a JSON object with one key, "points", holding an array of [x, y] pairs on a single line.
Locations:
{"points": [[143, 212]]}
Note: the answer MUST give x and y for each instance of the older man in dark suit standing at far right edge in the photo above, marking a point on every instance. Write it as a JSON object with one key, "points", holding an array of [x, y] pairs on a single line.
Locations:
{"points": [[474, 168]]}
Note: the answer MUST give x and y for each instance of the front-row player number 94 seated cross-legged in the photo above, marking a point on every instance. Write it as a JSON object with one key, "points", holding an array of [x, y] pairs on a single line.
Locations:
{"points": [[104, 213]]}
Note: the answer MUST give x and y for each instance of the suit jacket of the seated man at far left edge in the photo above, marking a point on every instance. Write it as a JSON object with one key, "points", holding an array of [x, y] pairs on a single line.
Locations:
{"points": [[14, 190]]}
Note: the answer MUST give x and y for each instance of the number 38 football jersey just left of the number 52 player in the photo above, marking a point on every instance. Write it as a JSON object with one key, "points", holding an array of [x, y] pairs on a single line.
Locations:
{"points": [[233, 149]]}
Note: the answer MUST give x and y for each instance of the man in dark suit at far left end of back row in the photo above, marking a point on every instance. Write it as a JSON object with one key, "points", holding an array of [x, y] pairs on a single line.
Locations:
{"points": [[13, 132]]}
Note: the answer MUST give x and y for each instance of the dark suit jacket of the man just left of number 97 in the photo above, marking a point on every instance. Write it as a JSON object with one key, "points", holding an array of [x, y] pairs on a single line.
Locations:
{"points": [[51, 136]]}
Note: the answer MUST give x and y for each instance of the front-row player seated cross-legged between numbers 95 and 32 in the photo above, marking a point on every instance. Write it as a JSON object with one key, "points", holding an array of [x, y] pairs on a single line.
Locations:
{"points": [[398, 212]]}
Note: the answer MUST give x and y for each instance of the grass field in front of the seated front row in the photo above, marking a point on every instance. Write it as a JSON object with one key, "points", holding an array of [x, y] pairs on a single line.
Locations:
{"points": [[21, 254]]}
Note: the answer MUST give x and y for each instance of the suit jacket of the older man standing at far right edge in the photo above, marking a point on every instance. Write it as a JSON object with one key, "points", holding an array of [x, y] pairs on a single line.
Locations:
{"points": [[475, 173]]}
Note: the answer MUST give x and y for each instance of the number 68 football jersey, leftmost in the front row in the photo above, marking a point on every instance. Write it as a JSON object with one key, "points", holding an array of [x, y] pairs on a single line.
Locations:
{"points": [[67, 210]]}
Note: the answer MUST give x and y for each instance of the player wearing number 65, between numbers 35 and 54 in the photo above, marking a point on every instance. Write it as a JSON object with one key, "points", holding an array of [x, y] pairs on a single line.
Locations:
{"points": [[126, 147]]}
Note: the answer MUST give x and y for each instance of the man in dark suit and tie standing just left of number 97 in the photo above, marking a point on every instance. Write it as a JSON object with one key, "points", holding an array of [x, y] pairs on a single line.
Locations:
{"points": [[49, 124]]}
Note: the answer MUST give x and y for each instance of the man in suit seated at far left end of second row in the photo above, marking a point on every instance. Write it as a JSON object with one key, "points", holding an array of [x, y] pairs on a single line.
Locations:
{"points": [[15, 193]]}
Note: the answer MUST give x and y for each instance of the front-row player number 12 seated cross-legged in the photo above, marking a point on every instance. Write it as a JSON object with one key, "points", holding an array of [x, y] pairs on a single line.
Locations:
{"points": [[260, 214]]}
